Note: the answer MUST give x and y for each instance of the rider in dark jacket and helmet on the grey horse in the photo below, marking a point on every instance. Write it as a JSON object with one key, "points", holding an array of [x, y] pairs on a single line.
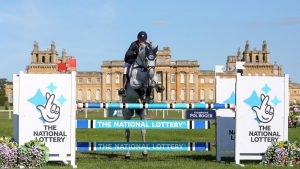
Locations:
{"points": [[131, 56]]}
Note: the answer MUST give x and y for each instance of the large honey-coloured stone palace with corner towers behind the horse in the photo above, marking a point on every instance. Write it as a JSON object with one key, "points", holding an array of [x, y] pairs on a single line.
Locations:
{"points": [[183, 80]]}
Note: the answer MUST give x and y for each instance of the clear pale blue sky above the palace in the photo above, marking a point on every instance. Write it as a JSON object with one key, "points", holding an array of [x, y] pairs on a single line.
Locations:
{"points": [[98, 30]]}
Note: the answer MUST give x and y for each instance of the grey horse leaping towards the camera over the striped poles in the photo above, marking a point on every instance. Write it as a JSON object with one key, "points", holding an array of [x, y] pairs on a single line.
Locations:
{"points": [[142, 81]]}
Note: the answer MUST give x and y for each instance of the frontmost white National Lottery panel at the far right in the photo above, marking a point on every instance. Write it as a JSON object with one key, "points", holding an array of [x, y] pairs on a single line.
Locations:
{"points": [[261, 114]]}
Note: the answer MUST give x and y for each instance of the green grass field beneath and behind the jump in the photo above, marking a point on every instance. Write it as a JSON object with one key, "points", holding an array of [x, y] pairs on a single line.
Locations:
{"points": [[92, 160]]}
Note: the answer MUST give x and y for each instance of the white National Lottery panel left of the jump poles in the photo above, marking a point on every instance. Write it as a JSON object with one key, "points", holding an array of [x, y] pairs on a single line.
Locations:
{"points": [[44, 110]]}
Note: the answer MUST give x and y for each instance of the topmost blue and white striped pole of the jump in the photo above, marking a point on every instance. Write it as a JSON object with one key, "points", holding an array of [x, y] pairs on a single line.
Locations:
{"points": [[154, 106]]}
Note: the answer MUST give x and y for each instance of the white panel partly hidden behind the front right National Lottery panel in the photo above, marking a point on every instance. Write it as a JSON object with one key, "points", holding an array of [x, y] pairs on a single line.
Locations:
{"points": [[225, 120]]}
